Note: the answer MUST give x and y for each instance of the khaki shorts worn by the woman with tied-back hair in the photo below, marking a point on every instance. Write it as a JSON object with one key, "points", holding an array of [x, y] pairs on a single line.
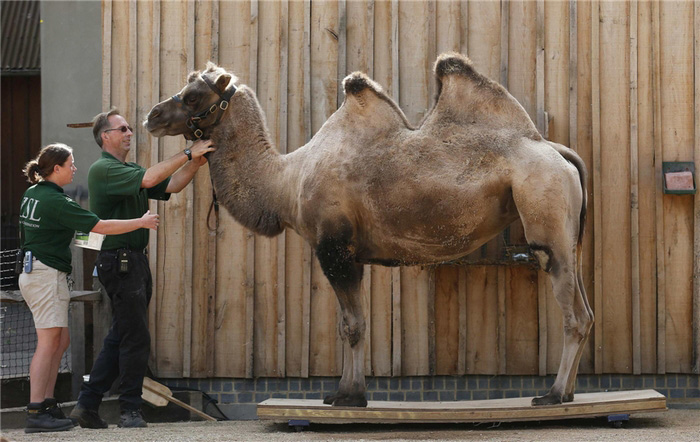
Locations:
{"points": [[45, 290]]}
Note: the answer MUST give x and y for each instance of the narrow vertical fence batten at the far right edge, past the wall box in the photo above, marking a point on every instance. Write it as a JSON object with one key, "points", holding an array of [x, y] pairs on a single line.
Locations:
{"points": [[696, 217]]}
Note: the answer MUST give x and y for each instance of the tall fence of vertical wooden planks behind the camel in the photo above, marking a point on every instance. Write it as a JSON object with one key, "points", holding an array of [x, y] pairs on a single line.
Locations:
{"points": [[617, 81]]}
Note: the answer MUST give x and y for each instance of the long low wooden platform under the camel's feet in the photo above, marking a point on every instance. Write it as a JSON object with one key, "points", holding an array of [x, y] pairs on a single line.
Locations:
{"points": [[494, 410]]}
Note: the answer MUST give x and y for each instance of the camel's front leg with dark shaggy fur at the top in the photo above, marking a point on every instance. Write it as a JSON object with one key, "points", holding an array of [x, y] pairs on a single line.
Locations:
{"points": [[337, 261]]}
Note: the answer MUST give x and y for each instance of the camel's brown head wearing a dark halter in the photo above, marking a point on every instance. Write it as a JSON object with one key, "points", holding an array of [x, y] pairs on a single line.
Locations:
{"points": [[197, 108]]}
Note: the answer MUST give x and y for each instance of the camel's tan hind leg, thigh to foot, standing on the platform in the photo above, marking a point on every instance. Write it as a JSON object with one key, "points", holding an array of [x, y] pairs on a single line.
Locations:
{"points": [[552, 230]]}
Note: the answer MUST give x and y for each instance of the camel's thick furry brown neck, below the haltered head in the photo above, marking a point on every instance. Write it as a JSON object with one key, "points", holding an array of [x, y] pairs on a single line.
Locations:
{"points": [[248, 172]]}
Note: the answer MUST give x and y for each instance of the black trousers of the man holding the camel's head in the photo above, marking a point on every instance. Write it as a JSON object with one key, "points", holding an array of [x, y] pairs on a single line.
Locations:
{"points": [[126, 348]]}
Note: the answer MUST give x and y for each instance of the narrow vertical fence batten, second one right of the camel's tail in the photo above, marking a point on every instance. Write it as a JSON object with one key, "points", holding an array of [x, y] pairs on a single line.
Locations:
{"points": [[634, 194]]}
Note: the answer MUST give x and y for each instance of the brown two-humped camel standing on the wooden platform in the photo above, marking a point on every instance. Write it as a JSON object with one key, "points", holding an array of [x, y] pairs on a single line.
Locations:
{"points": [[369, 188]]}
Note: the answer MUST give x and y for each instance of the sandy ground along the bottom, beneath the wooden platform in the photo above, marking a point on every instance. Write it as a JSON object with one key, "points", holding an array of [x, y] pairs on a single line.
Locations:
{"points": [[672, 425]]}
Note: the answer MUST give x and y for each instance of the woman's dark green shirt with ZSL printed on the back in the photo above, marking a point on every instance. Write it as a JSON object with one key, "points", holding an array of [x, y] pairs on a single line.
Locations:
{"points": [[48, 219]]}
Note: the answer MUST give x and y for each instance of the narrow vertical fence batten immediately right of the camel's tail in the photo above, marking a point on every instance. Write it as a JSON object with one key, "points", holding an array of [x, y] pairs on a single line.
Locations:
{"points": [[597, 190]]}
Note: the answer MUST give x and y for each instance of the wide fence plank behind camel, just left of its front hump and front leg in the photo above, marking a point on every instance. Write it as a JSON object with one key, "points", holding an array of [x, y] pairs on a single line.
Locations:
{"points": [[325, 355]]}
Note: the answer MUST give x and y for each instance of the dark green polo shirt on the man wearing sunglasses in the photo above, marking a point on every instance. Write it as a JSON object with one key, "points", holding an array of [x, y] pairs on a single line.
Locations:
{"points": [[116, 193]]}
